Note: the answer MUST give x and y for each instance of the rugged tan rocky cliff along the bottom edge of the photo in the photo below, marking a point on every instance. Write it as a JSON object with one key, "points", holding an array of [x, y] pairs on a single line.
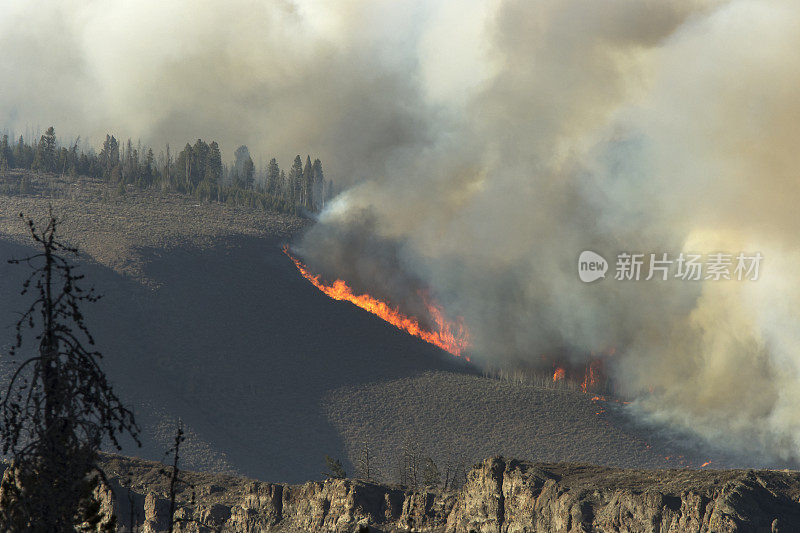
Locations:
{"points": [[499, 496]]}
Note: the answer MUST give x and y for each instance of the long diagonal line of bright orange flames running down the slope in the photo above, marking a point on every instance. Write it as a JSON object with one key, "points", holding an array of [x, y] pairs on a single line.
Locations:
{"points": [[450, 336]]}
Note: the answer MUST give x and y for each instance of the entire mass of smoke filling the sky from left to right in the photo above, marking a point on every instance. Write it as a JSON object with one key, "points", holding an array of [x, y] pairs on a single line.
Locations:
{"points": [[488, 143]]}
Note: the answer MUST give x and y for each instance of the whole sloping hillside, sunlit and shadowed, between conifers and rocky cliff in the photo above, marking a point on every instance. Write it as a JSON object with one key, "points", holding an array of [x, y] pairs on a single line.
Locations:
{"points": [[204, 319]]}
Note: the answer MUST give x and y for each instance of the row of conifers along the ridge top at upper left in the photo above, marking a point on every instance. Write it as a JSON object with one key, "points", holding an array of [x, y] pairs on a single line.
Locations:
{"points": [[197, 170]]}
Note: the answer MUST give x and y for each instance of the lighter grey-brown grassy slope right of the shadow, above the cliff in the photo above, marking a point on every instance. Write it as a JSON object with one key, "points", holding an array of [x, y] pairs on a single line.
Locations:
{"points": [[452, 414]]}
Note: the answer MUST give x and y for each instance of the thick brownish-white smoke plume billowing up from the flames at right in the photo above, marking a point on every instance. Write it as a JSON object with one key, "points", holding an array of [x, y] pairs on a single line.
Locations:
{"points": [[620, 126]]}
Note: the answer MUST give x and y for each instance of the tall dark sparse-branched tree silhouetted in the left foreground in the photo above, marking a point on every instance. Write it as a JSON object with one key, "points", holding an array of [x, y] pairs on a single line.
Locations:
{"points": [[58, 407]]}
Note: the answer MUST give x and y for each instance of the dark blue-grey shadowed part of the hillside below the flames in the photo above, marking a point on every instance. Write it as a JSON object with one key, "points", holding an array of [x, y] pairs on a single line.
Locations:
{"points": [[243, 350]]}
